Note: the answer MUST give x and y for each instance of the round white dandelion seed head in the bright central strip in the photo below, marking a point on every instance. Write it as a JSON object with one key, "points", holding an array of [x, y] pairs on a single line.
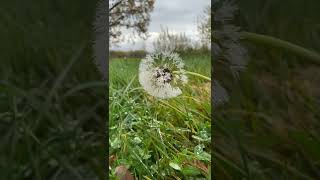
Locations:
{"points": [[157, 77]]}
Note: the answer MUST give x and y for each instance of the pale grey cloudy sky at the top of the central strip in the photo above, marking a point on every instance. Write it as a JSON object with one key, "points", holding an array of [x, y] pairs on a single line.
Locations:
{"points": [[178, 15]]}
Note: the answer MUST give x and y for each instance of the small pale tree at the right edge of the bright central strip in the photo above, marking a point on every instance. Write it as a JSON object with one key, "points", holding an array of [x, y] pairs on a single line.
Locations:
{"points": [[204, 27]]}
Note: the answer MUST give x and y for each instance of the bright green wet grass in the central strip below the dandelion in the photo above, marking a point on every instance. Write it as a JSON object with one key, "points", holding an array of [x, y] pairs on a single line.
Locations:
{"points": [[160, 139]]}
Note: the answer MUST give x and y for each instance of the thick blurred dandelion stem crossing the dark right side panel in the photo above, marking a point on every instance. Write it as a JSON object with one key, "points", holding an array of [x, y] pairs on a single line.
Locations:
{"points": [[272, 41]]}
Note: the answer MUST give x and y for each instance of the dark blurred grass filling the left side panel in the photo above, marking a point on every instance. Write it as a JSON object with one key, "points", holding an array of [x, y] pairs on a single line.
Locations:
{"points": [[52, 99]]}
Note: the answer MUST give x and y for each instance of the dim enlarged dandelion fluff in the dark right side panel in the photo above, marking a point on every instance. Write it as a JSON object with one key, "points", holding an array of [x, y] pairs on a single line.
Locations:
{"points": [[226, 44]]}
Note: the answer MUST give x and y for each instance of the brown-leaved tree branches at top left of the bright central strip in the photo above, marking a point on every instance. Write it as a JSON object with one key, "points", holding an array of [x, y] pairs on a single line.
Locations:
{"points": [[129, 14]]}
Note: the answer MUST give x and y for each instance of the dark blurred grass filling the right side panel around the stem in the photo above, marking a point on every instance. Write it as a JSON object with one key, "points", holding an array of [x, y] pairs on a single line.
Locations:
{"points": [[270, 128]]}
